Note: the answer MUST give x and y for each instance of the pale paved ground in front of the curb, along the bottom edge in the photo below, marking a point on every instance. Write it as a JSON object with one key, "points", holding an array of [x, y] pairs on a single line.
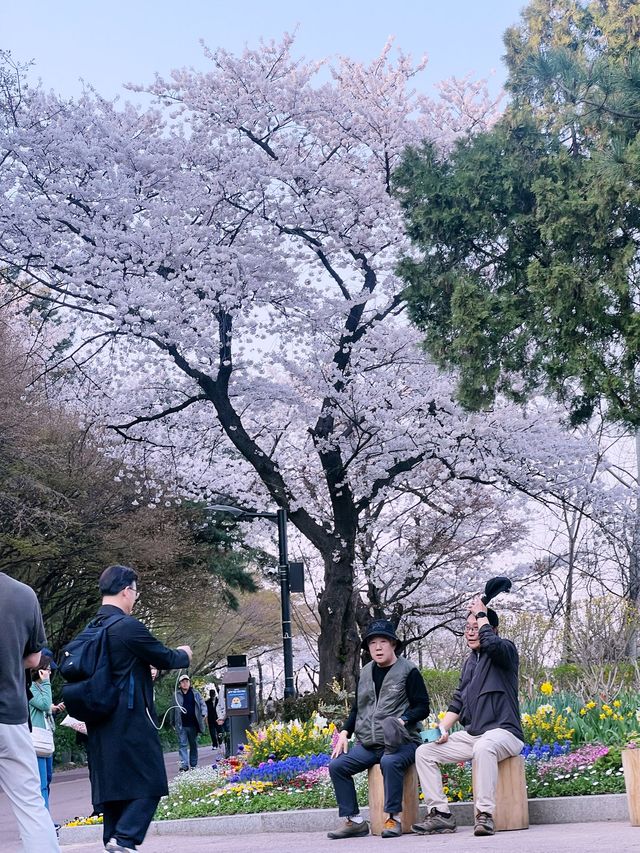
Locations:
{"points": [[558, 838]]}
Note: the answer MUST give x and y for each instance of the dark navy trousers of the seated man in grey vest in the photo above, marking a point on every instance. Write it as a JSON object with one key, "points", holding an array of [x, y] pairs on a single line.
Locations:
{"points": [[393, 764]]}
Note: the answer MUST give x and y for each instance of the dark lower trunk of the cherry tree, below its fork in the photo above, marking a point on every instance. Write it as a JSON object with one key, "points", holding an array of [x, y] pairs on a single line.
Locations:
{"points": [[339, 641]]}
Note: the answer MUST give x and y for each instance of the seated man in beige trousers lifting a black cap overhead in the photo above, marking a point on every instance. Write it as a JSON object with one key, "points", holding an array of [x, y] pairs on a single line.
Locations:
{"points": [[486, 704]]}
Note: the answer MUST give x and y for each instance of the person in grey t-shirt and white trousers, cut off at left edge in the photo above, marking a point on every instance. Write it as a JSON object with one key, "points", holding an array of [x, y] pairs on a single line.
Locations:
{"points": [[21, 639]]}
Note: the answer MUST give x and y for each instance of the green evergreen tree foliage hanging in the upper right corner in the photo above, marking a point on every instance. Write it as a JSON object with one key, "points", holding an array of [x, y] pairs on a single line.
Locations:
{"points": [[529, 234]]}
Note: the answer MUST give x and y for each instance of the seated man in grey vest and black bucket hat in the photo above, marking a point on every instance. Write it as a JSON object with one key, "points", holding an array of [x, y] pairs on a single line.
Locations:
{"points": [[391, 700]]}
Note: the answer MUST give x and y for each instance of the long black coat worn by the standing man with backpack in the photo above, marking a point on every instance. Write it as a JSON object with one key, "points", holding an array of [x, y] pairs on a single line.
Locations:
{"points": [[125, 756]]}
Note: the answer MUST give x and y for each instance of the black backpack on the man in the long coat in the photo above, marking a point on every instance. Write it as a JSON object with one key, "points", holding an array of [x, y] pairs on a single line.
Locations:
{"points": [[91, 695]]}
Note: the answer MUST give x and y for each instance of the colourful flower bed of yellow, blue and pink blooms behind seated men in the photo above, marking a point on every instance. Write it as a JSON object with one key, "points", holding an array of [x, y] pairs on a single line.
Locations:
{"points": [[284, 766]]}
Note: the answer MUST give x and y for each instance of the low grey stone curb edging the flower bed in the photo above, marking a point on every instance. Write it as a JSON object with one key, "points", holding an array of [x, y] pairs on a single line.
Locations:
{"points": [[584, 809]]}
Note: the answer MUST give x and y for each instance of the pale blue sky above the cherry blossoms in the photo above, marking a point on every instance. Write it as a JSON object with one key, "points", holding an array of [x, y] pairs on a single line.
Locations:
{"points": [[113, 42]]}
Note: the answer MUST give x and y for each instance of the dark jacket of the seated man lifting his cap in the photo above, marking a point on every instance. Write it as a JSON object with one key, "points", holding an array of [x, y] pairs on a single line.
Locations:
{"points": [[487, 695]]}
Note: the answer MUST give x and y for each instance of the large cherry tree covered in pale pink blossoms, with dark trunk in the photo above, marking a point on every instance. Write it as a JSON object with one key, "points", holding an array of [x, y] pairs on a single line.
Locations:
{"points": [[222, 269]]}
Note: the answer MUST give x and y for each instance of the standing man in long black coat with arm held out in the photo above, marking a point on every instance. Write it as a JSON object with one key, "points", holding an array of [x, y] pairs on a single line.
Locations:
{"points": [[127, 770]]}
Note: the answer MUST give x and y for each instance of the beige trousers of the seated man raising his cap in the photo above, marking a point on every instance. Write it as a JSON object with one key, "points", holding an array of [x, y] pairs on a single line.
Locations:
{"points": [[487, 750]]}
